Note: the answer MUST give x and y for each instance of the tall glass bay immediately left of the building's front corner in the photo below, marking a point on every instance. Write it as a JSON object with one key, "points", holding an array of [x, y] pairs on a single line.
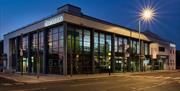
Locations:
{"points": [[55, 44]]}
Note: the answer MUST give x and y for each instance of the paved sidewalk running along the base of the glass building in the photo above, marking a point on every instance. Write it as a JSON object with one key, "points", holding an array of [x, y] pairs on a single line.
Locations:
{"points": [[30, 79]]}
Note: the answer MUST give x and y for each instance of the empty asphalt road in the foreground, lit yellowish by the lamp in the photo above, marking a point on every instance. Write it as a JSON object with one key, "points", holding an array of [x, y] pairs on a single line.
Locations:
{"points": [[135, 82]]}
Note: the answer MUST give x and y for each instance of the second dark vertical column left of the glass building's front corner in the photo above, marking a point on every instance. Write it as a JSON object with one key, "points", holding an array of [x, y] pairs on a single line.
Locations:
{"points": [[29, 53]]}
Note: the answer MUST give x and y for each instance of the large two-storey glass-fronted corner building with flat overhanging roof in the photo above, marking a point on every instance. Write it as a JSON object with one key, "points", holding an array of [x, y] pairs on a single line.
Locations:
{"points": [[70, 42]]}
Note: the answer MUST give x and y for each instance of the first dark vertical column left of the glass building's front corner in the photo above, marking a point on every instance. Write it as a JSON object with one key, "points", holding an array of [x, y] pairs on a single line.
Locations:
{"points": [[45, 52]]}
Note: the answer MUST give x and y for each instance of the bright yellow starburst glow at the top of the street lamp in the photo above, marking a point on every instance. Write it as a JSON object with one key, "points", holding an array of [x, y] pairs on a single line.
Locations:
{"points": [[147, 14]]}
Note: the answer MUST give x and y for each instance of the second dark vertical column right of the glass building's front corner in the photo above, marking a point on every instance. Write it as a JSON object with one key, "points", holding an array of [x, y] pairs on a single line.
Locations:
{"points": [[113, 53]]}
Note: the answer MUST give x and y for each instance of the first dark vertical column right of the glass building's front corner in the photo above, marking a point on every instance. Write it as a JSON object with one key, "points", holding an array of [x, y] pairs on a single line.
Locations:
{"points": [[92, 51]]}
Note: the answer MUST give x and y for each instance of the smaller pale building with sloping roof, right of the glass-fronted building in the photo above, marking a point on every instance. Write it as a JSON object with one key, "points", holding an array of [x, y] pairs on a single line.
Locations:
{"points": [[163, 52]]}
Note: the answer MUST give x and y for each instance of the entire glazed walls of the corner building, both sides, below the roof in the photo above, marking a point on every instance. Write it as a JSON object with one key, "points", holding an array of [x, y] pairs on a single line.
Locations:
{"points": [[87, 51]]}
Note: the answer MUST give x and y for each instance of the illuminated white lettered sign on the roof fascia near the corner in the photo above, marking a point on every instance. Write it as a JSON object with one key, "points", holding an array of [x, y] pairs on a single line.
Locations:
{"points": [[53, 20]]}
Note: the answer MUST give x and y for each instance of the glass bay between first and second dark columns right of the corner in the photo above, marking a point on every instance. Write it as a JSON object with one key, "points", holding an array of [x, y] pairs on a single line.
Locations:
{"points": [[102, 51]]}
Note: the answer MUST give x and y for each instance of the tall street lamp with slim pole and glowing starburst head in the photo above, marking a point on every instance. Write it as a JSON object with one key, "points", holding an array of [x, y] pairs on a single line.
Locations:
{"points": [[147, 14]]}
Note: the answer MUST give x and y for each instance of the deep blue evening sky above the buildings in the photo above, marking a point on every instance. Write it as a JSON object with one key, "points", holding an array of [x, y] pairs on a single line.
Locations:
{"points": [[17, 13]]}
